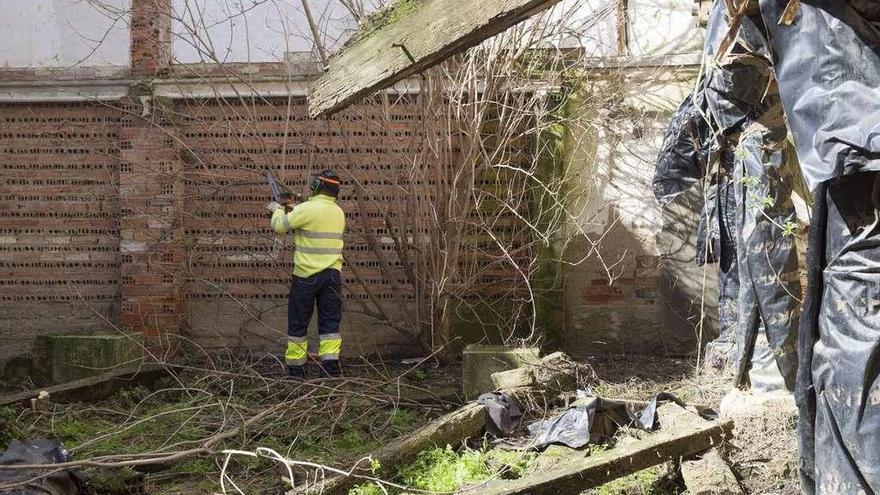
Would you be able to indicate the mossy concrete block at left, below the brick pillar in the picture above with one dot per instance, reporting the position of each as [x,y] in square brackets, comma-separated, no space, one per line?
[64,358]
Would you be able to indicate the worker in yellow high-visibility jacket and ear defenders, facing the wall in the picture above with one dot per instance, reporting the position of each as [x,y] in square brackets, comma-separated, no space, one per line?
[317,225]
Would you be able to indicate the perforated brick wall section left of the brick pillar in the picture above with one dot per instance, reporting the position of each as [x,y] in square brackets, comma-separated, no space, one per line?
[59,220]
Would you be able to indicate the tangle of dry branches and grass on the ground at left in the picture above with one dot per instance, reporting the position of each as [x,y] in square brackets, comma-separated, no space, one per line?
[335,425]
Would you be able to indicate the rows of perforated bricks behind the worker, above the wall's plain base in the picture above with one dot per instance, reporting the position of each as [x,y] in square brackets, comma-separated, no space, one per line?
[226,223]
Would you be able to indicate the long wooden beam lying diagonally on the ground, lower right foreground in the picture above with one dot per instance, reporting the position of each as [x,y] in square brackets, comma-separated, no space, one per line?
[682,434]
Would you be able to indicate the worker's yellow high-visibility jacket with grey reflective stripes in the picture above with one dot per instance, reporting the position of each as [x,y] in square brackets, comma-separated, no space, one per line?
[317,225]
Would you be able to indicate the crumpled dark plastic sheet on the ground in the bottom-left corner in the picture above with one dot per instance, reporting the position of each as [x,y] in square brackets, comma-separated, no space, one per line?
[64,482]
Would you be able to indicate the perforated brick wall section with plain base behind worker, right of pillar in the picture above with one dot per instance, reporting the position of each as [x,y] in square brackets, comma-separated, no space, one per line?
[236,265]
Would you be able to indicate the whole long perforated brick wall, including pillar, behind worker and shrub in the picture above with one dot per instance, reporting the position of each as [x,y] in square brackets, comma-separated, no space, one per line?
[154,218]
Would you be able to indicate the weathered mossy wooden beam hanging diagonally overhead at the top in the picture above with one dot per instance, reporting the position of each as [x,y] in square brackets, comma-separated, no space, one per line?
[422,34]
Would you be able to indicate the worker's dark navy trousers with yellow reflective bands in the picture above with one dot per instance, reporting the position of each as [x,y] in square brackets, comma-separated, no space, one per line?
[324,290]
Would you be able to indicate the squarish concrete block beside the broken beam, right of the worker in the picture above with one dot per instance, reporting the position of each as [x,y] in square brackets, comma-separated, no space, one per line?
[480,361]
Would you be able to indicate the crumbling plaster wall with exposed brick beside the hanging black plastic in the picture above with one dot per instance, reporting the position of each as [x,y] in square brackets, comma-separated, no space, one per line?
[640,291]
